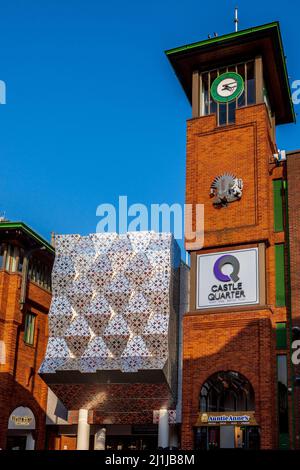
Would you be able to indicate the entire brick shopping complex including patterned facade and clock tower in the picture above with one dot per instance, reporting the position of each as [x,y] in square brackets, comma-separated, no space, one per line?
[114,353]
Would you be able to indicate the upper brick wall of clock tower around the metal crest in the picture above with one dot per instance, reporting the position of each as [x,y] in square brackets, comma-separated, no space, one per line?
[243,149]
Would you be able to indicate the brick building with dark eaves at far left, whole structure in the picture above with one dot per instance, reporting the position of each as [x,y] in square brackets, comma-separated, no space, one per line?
[25,293]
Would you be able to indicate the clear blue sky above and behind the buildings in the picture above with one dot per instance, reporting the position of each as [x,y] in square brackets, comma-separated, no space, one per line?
[94,109]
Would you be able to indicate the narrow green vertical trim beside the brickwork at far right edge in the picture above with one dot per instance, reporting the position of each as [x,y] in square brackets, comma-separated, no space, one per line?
[289,310]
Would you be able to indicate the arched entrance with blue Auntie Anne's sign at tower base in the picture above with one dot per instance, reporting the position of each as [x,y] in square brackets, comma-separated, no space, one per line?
[227,413]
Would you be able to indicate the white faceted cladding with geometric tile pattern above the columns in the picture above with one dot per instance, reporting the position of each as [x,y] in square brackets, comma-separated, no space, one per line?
[112,302]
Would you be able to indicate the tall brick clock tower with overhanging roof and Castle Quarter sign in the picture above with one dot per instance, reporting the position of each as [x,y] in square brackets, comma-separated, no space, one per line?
[237,386]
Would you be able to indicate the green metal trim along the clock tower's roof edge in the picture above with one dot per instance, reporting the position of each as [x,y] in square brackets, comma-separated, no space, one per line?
[244,32]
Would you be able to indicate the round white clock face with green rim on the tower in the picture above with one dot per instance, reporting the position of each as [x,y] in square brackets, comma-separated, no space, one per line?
[227,87]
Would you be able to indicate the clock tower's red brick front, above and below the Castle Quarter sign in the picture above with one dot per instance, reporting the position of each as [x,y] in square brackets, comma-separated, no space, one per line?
[241,341]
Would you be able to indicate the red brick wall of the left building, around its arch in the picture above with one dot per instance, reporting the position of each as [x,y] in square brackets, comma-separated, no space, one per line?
[20,384]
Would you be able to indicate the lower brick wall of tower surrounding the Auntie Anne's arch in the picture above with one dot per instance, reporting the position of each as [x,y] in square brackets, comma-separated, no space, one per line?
[220,342]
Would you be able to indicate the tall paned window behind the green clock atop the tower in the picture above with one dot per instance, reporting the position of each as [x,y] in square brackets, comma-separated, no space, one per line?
[226,112]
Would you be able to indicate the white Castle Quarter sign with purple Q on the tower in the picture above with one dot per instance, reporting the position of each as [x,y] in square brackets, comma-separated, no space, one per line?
[228,278]
